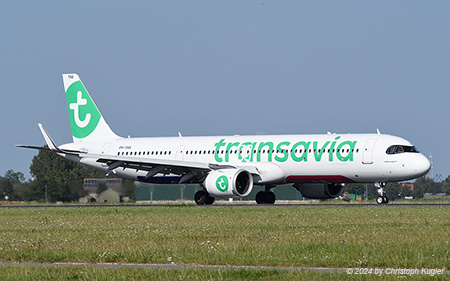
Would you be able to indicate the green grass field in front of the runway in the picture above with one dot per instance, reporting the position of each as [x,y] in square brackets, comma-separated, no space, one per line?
[356,236]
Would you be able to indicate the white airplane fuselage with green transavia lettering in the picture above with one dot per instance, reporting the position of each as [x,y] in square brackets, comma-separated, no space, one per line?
[278,159]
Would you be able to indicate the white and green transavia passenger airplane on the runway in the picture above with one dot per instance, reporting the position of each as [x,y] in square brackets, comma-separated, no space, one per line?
[318,166]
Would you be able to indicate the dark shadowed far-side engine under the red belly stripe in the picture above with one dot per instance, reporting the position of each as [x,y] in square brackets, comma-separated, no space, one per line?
[319,190]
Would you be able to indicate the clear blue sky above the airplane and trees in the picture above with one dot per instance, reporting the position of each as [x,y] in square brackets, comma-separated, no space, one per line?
[232,67]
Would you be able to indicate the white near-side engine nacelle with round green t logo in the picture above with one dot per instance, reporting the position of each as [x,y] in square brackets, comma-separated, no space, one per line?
[229,183]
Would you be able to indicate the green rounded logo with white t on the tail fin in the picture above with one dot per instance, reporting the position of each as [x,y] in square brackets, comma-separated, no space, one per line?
[83,113]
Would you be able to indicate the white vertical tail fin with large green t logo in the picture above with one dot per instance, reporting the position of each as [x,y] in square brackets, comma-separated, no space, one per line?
[86,120]
